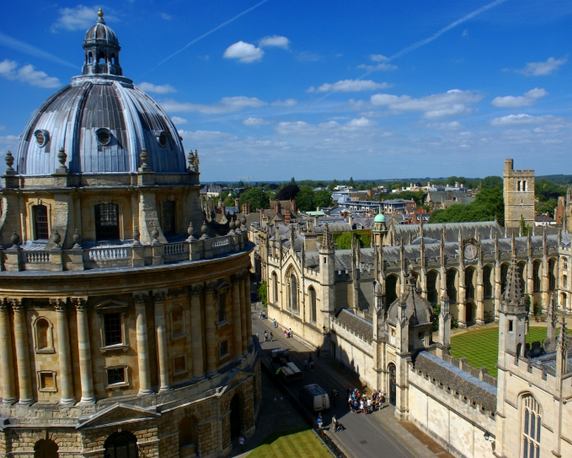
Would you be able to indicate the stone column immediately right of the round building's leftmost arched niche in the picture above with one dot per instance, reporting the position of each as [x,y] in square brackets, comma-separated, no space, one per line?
[64,356]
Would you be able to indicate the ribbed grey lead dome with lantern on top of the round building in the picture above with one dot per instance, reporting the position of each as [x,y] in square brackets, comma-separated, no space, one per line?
[101,120]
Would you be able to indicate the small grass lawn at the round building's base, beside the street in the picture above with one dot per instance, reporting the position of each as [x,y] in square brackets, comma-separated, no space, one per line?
[291,444]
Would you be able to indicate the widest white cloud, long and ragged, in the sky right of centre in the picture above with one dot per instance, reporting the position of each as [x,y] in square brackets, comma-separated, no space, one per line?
[453,102]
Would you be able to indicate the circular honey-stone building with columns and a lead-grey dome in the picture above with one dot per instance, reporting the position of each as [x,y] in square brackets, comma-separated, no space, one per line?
[125,320]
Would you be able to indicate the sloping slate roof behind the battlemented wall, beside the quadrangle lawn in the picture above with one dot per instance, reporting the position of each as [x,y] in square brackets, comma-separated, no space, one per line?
[459,381]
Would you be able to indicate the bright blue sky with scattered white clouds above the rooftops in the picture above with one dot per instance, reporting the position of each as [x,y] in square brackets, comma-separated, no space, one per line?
[321,89]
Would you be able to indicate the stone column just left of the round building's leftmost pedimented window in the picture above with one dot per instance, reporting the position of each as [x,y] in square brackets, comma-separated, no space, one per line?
[84,350]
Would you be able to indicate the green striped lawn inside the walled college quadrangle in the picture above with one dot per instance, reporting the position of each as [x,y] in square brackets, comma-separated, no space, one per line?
[481,346]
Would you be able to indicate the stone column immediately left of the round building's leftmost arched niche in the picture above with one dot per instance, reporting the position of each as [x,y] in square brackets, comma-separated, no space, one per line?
[22,352]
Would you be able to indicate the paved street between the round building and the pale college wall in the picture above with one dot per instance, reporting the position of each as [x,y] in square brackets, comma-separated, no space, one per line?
[374,435]
